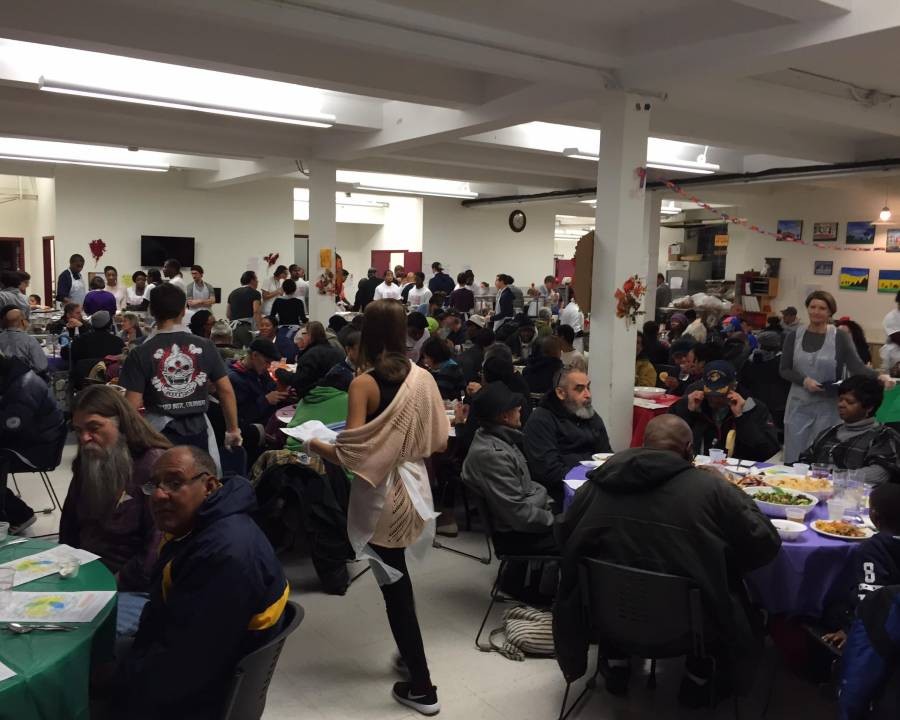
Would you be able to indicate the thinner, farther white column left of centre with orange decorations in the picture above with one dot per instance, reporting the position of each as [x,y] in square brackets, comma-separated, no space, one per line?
[322,233]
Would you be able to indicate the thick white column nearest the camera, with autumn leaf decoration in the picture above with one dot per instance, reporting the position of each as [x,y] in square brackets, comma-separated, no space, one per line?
[620,251]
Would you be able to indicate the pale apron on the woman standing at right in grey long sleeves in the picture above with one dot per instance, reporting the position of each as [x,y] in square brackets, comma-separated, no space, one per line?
[808,414]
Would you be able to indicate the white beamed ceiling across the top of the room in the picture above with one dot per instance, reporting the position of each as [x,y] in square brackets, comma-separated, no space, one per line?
[413,82]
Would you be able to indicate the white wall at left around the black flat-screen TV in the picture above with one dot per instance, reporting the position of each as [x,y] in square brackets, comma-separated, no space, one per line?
[230,225]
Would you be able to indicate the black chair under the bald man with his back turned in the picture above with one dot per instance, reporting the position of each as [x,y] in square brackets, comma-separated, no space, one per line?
[640,613]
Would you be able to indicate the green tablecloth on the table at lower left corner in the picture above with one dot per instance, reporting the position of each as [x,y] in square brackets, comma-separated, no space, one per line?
[53,668]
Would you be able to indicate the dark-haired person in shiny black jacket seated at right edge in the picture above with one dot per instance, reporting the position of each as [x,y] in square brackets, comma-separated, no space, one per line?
[859,443]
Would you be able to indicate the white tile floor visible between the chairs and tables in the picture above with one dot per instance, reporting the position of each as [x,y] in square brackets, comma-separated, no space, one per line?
[337,666]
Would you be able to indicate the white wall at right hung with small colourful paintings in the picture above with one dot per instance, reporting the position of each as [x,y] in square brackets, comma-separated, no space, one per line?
[851,202]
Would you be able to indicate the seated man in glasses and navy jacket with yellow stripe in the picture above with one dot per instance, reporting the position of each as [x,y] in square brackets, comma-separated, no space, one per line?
[217,592]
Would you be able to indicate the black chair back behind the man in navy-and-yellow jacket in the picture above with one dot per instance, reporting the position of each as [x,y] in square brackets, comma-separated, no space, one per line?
[246,697]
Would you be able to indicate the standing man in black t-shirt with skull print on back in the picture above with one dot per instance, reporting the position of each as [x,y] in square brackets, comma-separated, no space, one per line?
[170,373]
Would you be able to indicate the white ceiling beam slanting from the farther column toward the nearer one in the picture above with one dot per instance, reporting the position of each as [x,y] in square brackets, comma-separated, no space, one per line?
[406,125]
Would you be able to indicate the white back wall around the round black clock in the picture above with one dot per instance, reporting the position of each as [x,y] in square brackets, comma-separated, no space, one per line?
[479,238]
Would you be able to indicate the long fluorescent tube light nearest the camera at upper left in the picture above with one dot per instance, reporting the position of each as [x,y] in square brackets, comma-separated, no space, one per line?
[321,120]
